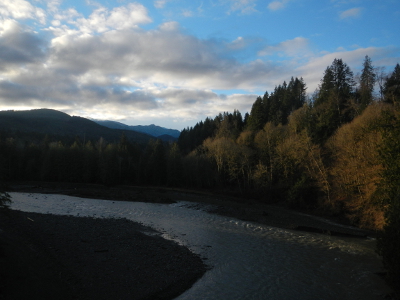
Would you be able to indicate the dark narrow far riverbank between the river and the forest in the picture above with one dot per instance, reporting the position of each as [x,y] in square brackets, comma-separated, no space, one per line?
[235,207]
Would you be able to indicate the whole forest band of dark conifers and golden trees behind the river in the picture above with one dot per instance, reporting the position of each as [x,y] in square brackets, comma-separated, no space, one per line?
[335,151]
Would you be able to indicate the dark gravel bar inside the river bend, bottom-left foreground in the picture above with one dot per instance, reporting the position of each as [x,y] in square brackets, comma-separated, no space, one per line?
[62,257]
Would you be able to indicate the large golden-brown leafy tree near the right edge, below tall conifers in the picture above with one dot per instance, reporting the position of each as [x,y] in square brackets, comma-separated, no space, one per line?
[356,169]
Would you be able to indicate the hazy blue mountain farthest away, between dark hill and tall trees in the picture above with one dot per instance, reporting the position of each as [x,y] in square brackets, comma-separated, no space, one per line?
[153,130]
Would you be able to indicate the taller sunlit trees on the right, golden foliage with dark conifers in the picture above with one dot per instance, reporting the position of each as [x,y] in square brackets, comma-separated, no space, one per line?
[337,151]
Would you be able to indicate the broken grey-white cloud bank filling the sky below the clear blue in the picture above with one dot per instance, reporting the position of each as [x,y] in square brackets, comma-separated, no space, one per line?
[105,65]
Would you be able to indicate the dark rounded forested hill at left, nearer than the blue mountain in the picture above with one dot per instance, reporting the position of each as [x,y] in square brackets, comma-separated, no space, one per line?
[56,123]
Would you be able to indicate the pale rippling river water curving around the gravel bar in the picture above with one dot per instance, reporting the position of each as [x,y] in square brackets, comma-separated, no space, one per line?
[247,260]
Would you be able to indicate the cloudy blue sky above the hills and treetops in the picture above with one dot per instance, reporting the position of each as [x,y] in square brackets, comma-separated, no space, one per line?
[173,63]
